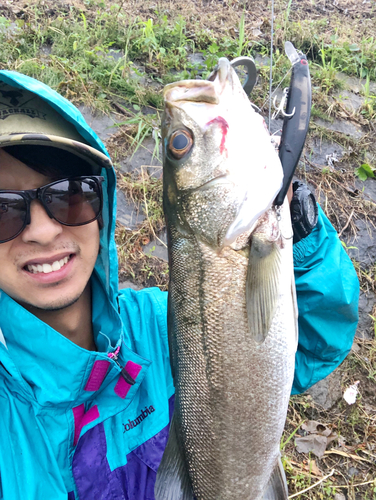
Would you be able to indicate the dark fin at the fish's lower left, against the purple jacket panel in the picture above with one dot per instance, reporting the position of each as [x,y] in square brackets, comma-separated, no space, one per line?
[173,482]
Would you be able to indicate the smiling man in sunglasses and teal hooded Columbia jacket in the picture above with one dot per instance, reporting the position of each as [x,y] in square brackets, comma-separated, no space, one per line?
[86,391]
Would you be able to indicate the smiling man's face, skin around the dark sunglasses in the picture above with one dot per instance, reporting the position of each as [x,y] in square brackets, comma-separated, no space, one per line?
[70,251]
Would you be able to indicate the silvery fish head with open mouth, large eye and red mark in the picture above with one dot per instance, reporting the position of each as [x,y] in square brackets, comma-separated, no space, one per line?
[221,171]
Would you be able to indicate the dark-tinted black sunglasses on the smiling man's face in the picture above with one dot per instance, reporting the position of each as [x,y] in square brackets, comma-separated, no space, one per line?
[72,202]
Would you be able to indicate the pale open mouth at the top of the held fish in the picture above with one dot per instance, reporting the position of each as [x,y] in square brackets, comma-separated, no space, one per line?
[202,91]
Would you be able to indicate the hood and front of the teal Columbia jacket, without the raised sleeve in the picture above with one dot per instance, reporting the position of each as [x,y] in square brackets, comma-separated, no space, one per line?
[43,402]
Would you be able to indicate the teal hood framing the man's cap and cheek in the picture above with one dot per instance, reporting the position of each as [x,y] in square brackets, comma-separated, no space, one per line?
[107,265]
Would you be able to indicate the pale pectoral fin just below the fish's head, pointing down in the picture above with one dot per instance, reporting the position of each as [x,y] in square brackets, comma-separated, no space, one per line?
[262,288]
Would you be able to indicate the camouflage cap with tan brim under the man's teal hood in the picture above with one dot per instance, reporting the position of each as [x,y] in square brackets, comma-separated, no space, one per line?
[26,119]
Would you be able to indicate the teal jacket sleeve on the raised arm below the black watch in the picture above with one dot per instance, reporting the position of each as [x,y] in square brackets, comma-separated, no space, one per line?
[328,294]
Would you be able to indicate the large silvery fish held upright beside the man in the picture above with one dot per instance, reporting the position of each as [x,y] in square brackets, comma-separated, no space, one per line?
[232,313]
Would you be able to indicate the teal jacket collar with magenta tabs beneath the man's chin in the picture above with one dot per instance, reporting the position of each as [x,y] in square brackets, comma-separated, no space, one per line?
[47,368]
